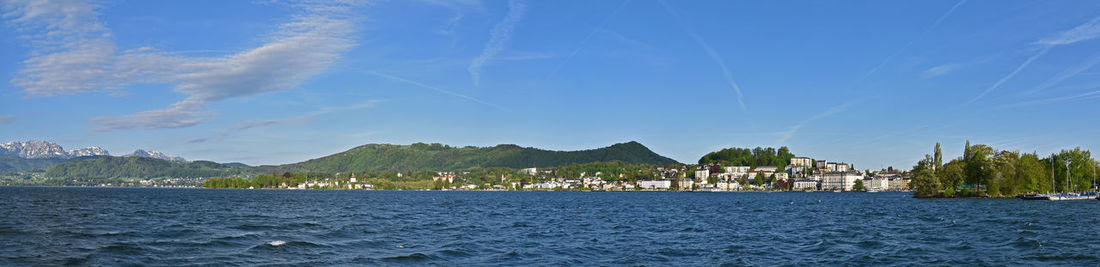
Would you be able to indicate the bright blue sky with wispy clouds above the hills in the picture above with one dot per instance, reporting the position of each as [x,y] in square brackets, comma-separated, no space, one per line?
[871,83]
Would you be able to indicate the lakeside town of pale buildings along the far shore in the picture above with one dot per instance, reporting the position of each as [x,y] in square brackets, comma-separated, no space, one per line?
[802,174]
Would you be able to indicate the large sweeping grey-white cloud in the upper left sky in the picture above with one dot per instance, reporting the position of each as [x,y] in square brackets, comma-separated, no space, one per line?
[74,53]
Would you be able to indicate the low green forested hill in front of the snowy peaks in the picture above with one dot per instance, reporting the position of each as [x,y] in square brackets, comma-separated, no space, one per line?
[139,168]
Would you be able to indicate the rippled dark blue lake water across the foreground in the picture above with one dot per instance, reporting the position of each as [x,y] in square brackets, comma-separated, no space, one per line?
[204,227]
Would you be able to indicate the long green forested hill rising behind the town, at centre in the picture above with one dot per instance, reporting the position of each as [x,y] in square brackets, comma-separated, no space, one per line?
[420,157]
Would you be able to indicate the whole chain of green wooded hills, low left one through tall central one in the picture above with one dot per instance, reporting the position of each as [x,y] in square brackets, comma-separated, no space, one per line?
[372,158]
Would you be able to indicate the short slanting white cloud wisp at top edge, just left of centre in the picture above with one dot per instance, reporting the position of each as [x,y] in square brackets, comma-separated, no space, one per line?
[499,38]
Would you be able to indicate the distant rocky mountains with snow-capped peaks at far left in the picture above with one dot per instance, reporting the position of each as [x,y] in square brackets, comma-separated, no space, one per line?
[41,155]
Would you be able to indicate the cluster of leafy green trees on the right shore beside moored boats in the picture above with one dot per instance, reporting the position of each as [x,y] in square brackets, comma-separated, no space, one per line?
[983,171]
